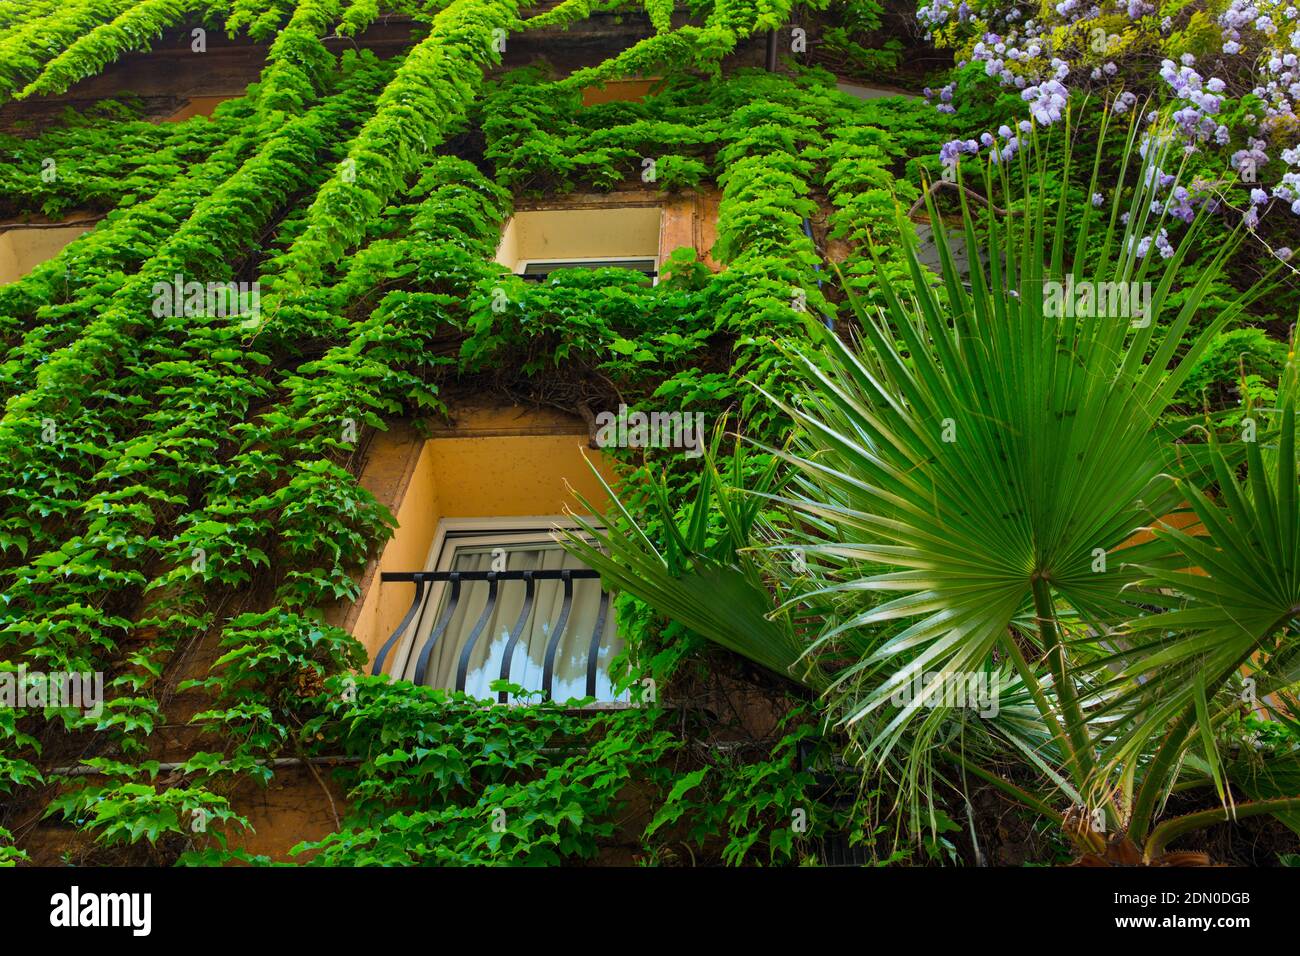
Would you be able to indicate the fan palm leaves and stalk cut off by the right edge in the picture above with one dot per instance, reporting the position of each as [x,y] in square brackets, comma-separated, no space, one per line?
[1228,638]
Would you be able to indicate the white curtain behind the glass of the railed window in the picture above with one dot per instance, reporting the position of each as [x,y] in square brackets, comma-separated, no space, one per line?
[530,654]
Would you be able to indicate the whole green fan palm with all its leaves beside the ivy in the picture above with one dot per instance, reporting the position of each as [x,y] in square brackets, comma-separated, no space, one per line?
[963,491]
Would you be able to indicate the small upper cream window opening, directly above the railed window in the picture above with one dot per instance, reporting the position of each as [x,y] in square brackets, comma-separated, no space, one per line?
[538,243]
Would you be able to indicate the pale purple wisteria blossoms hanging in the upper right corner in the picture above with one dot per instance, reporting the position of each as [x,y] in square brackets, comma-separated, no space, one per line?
[1052,53]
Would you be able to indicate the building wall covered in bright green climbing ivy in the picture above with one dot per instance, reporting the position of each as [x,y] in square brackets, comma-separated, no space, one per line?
[180,494]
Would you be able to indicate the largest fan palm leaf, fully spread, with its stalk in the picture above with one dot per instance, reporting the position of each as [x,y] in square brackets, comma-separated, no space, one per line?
[982,455]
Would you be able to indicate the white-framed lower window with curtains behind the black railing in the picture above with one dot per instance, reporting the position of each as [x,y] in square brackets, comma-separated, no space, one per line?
[504,600]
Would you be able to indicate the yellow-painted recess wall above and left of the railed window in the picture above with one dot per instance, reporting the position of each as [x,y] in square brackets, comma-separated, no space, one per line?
[476,471]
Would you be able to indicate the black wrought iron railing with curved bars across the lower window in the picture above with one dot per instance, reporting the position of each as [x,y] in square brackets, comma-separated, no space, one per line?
[457,579]
